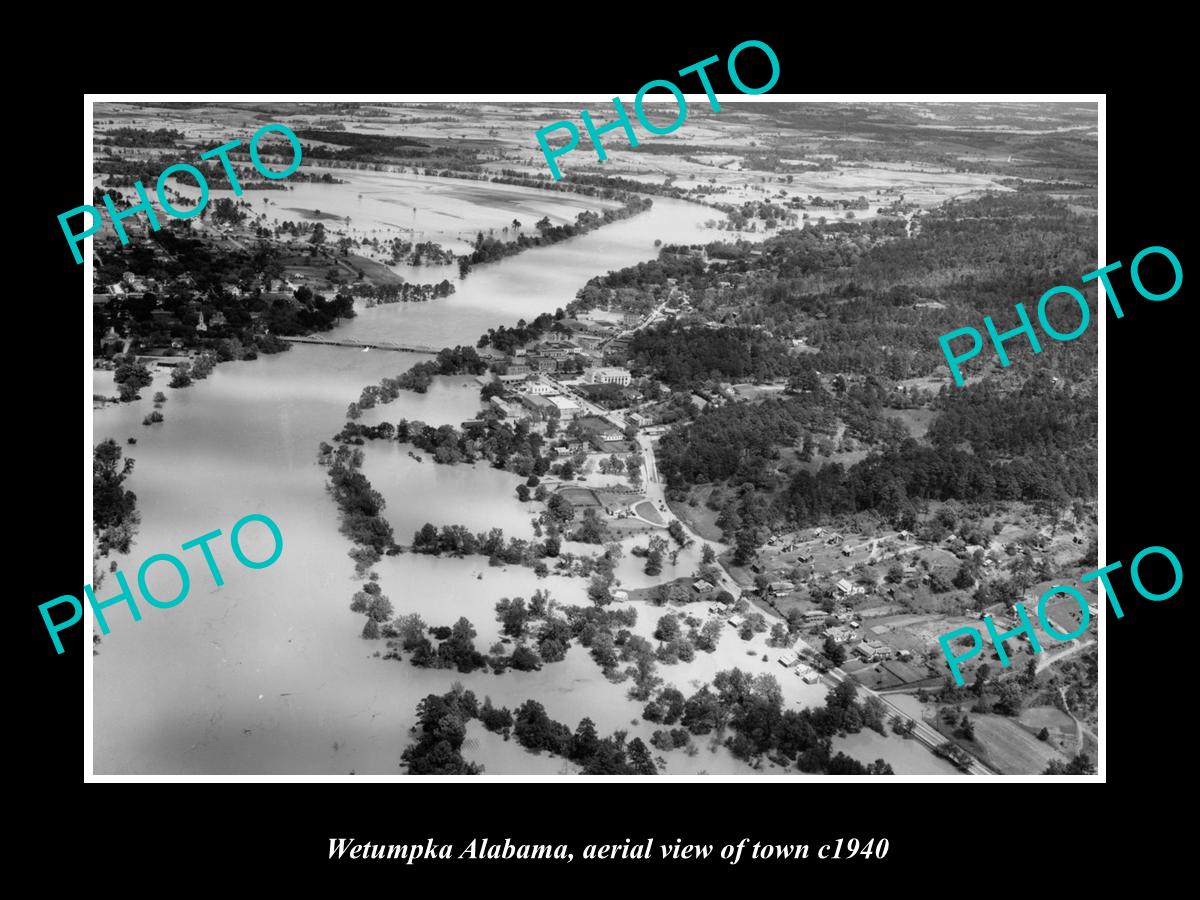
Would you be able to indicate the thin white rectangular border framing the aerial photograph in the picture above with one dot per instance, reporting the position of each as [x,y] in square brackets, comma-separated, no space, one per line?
[92,99]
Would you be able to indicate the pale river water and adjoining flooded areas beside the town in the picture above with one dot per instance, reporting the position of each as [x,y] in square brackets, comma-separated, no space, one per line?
[267,674]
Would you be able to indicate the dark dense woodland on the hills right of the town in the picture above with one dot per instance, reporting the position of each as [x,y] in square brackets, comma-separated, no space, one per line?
[872,304]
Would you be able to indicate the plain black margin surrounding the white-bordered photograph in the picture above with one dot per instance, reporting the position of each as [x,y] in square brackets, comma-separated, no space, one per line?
[952,833]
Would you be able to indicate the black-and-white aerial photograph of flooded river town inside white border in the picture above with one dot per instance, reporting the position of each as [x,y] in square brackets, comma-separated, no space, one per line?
[653,470]
